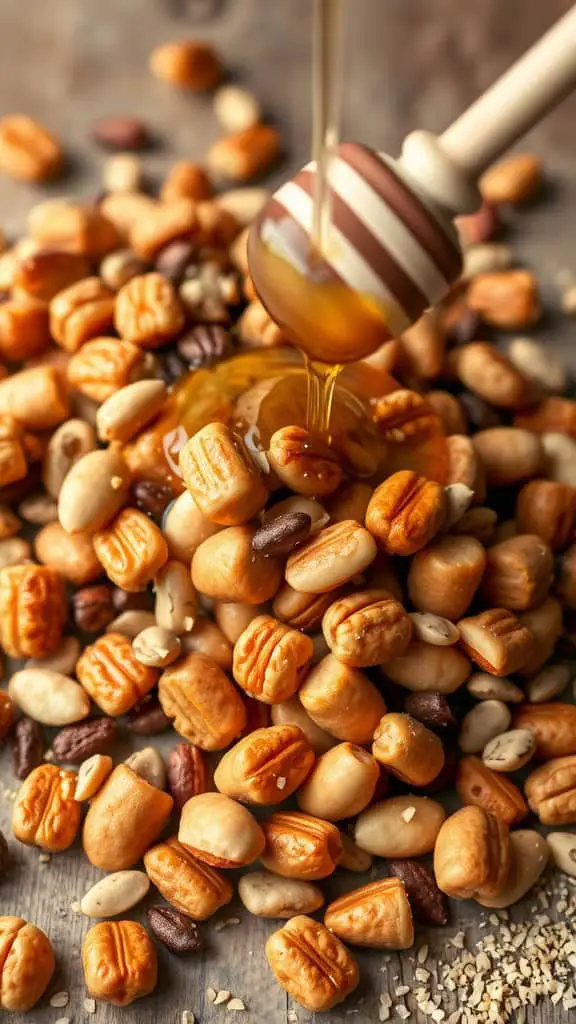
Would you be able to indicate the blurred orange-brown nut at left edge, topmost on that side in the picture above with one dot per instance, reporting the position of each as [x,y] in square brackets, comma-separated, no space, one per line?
[28,151]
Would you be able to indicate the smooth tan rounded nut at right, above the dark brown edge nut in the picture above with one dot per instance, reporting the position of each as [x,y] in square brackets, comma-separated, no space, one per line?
[509,455]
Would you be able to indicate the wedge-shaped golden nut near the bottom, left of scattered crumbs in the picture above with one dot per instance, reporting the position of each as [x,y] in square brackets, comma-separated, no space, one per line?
[378,915]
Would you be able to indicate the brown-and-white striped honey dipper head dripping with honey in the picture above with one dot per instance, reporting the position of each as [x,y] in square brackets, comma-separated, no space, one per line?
[389,255]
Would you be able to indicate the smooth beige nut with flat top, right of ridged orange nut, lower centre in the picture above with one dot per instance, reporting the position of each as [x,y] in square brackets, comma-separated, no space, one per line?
[341,785]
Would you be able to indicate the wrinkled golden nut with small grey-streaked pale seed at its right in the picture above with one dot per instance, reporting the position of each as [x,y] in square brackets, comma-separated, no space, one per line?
[366,629]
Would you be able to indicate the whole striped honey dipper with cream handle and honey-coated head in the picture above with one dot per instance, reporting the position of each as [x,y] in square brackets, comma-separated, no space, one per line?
[392,249]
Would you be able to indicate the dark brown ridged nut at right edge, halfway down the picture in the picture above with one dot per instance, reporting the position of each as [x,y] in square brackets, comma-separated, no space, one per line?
[549,509]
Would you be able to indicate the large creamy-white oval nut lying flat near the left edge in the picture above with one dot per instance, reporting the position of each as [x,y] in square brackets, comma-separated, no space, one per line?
[49,697]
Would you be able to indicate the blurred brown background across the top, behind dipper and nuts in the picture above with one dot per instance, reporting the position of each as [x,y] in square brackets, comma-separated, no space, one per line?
[409,64]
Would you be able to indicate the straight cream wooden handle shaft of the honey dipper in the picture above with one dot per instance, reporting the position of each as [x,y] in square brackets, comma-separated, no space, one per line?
[525,94]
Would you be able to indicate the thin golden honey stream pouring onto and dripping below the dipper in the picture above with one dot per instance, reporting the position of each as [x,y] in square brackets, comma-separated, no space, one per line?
[327,78]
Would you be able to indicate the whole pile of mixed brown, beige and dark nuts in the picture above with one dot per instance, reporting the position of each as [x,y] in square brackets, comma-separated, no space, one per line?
[358,645]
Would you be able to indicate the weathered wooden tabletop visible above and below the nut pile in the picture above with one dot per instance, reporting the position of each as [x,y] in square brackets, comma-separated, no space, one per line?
[410,64]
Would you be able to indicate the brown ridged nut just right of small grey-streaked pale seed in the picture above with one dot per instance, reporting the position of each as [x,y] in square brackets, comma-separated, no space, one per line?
[497,641]
